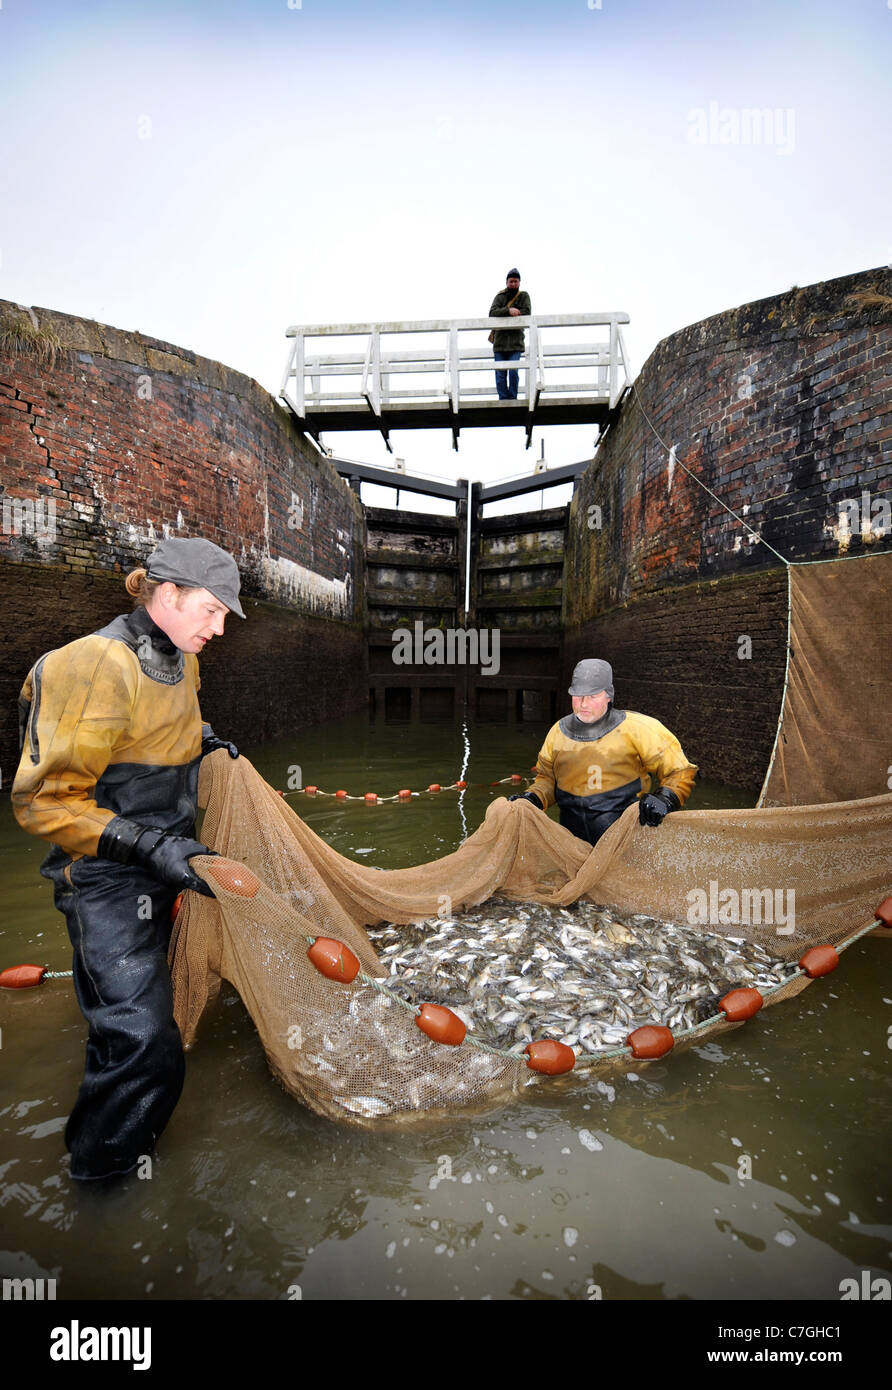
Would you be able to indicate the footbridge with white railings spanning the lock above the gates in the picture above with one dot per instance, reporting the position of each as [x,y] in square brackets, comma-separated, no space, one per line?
[443,379]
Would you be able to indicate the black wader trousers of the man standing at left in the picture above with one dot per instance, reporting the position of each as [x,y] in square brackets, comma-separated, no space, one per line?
[120,926]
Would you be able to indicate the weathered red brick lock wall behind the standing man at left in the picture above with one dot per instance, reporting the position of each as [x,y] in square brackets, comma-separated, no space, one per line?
[133,440]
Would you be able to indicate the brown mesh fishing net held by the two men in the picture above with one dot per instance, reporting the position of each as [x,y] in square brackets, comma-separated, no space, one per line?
[355,1054]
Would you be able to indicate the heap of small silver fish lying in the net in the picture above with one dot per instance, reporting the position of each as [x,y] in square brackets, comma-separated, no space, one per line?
[587,975]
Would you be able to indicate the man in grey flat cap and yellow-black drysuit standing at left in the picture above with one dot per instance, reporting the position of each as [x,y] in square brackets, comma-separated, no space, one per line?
[113,740]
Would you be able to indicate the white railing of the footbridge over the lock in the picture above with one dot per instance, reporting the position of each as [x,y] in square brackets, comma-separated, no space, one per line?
[448,376]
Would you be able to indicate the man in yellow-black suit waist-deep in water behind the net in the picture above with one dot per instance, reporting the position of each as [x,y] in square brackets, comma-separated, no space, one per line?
[595,761]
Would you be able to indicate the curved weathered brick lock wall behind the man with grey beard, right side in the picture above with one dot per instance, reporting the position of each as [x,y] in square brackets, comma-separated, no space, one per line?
[782,408]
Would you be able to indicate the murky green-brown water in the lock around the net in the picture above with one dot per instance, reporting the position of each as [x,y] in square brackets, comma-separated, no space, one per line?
[630,1189]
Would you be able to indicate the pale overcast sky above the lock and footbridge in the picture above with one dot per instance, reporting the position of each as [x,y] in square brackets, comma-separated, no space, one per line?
[210,172]
